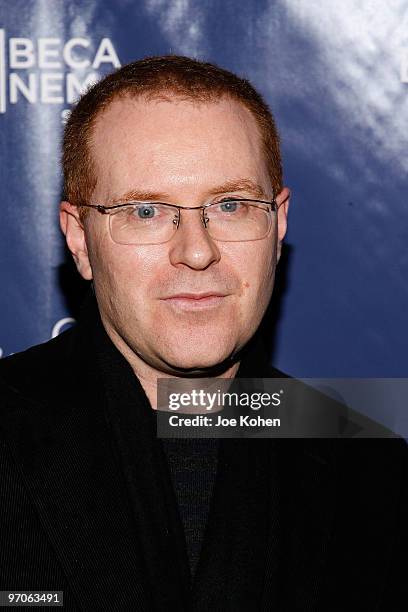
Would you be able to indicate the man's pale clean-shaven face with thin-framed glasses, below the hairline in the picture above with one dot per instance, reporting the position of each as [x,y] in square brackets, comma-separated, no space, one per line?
[148,295]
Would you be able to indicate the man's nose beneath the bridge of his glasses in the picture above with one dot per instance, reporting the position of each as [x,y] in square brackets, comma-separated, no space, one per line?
[191,245]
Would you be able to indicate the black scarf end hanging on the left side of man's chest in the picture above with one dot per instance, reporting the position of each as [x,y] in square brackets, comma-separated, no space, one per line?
[148,480]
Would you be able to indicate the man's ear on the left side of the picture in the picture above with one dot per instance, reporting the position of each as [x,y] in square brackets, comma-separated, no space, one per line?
[74,233]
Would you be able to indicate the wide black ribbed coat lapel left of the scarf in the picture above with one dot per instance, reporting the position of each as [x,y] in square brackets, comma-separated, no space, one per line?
[64,453]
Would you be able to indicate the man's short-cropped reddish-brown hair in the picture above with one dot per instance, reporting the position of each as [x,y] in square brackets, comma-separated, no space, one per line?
[159,77]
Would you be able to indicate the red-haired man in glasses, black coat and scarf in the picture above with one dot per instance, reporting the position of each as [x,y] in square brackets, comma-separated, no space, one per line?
[175,210]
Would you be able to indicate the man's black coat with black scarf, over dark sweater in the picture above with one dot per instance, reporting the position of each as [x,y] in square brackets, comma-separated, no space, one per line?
[87,505]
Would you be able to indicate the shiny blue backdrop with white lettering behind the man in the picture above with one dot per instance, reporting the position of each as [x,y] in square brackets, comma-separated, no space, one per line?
[335,74]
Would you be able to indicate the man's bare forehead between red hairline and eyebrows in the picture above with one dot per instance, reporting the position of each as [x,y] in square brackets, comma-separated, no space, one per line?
[175,144]
